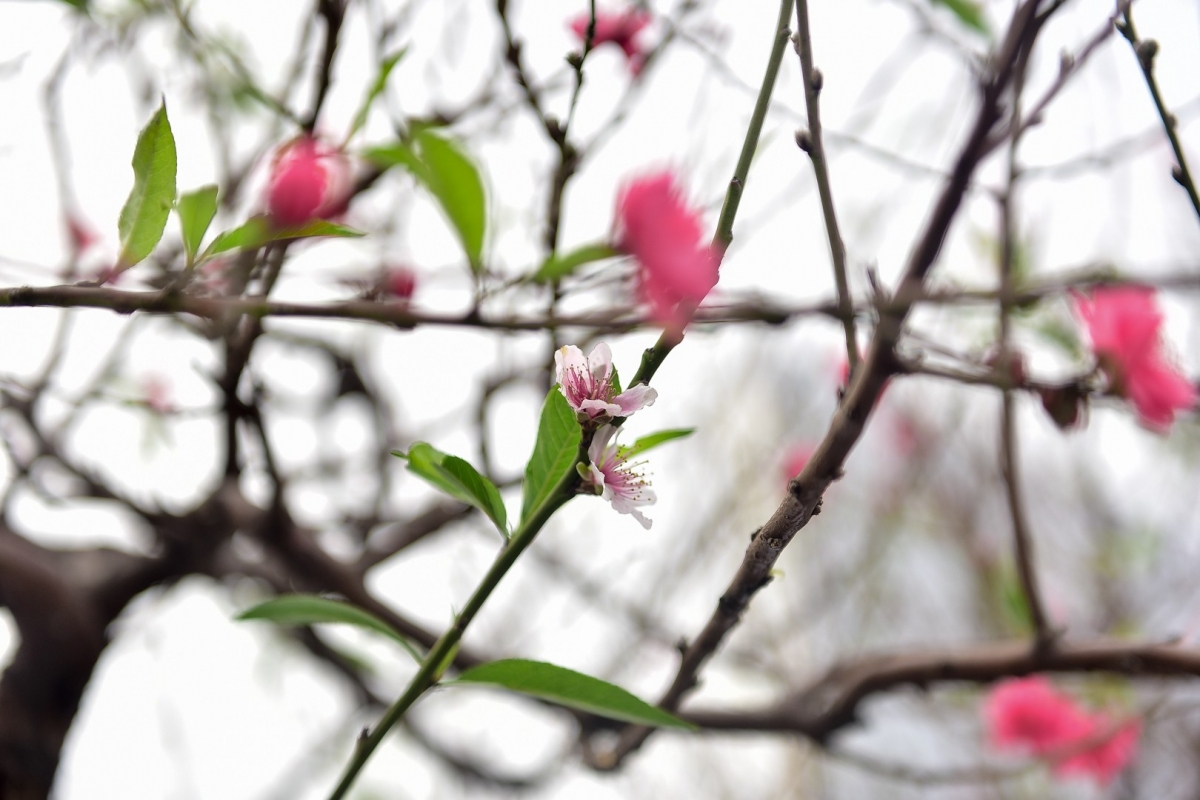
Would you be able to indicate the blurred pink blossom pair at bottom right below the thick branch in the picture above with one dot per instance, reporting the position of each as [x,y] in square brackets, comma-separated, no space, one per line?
[1029,715]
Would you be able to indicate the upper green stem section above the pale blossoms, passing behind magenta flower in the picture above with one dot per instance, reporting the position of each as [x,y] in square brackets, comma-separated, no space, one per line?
[655,357]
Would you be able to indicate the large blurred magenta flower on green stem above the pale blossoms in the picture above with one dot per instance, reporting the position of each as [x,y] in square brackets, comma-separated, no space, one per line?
[677,267]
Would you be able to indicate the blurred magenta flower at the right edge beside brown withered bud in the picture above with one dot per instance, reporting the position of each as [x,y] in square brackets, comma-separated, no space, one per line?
[1125,327]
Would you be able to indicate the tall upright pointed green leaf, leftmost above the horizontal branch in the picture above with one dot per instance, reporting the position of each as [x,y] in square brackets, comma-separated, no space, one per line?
[146,212]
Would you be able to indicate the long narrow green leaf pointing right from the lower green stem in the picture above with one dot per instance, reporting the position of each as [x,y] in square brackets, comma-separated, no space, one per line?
[571,689]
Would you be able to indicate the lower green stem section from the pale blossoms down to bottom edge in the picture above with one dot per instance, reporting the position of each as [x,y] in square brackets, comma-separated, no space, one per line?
[430,671]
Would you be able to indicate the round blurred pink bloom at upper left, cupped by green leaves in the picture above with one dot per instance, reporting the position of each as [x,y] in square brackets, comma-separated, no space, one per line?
[309,182]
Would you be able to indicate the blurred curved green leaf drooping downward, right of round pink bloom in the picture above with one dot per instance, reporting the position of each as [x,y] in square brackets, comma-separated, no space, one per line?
[454,181]
